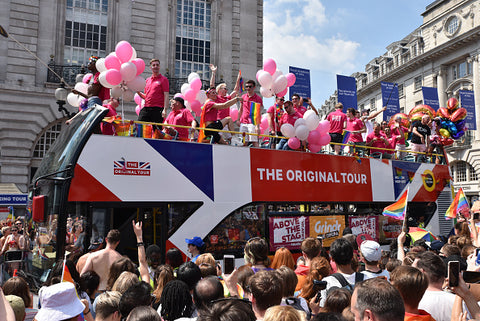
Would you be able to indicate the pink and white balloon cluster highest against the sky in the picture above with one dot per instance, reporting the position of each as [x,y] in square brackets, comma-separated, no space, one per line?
[273,81]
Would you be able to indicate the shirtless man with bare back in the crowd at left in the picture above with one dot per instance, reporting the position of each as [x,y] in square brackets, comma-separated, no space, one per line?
[101,261]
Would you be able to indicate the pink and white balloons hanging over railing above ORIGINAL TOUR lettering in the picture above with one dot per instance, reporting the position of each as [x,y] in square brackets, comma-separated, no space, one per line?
[310,129]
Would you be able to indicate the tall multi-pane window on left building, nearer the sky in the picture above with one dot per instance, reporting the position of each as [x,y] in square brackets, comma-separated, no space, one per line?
[192,44]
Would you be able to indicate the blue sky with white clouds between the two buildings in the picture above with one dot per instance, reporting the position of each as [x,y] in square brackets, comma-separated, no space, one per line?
[334,37]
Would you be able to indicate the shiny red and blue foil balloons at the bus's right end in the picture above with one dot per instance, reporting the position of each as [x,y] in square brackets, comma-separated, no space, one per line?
[452,121]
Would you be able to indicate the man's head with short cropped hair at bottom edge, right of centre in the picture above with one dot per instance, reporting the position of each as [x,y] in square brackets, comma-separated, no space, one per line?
[377,299]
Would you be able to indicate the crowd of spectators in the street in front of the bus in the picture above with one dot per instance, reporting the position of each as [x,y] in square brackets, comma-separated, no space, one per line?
[354,279]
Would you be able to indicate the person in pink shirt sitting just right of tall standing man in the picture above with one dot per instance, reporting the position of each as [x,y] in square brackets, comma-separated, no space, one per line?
[179,115]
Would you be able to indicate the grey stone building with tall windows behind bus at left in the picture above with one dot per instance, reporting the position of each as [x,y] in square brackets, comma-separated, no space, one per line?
[186,35]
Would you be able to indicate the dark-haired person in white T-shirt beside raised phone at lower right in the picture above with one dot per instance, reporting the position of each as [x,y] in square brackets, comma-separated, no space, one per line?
[435,301]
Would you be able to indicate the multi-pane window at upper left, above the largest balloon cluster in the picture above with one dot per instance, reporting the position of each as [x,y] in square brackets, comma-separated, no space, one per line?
[85,30]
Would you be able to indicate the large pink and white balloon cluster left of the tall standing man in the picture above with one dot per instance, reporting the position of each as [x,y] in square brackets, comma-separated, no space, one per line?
[121,71]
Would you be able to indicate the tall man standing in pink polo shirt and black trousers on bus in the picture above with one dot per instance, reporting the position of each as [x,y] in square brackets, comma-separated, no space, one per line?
[156,95]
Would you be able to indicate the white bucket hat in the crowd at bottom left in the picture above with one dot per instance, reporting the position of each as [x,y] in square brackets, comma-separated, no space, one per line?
[59,302]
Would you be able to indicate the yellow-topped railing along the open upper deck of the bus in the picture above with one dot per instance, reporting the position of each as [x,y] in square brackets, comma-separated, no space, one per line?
[128,128]
